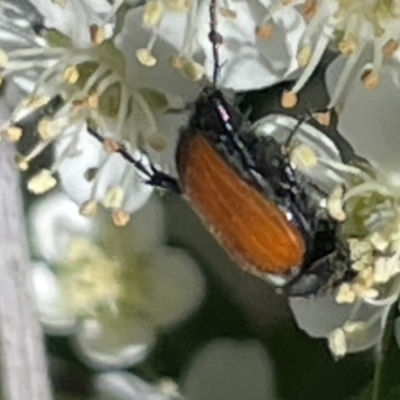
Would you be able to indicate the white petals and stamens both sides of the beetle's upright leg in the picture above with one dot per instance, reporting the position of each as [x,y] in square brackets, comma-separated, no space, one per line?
[252,55]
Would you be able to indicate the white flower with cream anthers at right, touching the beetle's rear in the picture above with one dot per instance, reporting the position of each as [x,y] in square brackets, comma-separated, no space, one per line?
[352,316]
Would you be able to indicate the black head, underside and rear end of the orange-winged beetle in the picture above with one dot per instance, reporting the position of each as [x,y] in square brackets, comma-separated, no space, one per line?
[264,164]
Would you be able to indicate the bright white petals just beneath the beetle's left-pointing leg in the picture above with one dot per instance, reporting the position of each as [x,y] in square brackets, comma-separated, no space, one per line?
[92,176]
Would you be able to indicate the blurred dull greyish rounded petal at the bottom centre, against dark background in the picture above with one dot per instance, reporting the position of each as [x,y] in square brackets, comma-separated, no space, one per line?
[226,369]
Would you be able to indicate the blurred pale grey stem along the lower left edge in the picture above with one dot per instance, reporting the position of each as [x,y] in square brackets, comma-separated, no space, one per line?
[23,360]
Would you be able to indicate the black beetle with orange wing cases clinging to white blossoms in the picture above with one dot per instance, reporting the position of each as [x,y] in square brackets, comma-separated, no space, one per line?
[243,187]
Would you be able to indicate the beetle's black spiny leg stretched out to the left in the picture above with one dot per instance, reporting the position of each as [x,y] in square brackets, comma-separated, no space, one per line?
[153,176]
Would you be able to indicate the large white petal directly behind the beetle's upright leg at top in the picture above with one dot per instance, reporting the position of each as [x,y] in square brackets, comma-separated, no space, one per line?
[248,62]
